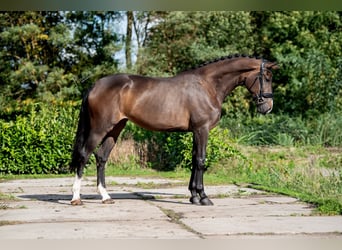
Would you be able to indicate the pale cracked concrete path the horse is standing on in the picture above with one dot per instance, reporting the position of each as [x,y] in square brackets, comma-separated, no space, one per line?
[154,209]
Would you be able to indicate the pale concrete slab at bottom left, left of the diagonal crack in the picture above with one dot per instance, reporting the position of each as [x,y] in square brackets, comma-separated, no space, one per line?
[97,230]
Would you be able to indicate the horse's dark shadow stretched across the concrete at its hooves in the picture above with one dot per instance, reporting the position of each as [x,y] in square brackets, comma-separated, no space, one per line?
[90,198]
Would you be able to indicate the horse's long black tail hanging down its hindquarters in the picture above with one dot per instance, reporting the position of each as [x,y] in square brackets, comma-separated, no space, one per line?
[81,135]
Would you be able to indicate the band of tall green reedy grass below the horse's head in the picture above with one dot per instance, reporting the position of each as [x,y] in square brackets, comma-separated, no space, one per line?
[285,130]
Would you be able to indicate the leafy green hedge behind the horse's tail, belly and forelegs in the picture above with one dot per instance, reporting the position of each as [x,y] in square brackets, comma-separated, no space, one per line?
[38,138]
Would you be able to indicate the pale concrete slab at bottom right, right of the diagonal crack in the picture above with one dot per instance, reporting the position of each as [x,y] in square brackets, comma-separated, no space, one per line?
[266,225]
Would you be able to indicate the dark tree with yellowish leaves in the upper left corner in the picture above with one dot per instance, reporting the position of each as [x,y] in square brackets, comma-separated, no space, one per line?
[31,48]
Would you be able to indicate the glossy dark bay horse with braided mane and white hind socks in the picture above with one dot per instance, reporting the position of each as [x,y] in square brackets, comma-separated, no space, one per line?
[190,101]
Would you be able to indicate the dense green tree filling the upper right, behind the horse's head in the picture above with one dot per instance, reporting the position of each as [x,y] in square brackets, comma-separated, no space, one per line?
[308,46]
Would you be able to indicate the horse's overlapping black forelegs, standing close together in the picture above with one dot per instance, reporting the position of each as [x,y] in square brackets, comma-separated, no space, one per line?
[196,185]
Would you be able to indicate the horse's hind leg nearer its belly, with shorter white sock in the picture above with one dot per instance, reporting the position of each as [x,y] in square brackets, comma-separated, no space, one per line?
[102,155]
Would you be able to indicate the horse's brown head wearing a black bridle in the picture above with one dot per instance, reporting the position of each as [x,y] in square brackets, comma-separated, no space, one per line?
[259,83]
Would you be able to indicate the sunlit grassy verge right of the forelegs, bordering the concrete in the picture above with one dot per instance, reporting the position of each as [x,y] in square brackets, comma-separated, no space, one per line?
[310,174]
